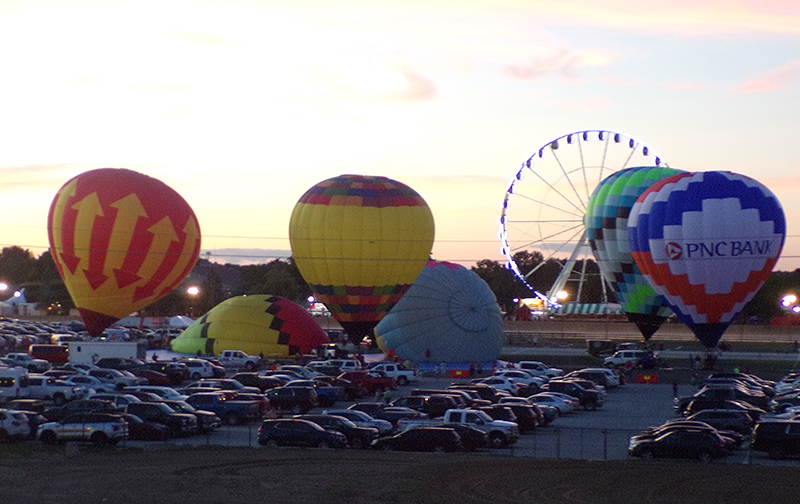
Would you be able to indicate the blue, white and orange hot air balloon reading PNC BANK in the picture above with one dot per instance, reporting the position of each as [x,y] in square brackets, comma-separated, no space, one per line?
[707,242]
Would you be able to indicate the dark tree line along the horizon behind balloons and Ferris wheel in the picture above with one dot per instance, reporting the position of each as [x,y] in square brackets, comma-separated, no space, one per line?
[216,282]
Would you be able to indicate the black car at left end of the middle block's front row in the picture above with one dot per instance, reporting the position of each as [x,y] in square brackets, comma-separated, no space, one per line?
[297,432]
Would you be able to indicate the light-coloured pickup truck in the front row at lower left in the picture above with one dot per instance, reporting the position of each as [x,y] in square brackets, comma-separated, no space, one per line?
[97,428]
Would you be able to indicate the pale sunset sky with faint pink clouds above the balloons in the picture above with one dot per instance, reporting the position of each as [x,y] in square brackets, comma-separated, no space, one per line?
[241,106]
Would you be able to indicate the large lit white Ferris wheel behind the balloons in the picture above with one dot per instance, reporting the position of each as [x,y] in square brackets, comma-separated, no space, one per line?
[545,203]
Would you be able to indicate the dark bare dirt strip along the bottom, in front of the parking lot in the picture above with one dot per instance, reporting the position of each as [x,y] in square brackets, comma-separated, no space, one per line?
[45,475]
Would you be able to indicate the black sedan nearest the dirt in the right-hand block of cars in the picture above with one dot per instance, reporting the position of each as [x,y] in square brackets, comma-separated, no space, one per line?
[692,444]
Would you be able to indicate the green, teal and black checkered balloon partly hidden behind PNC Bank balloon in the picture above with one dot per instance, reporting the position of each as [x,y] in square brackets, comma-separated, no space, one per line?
[606,222]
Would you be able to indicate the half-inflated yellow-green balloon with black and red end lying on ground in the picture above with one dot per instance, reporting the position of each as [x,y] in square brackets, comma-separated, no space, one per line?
[257,324]
